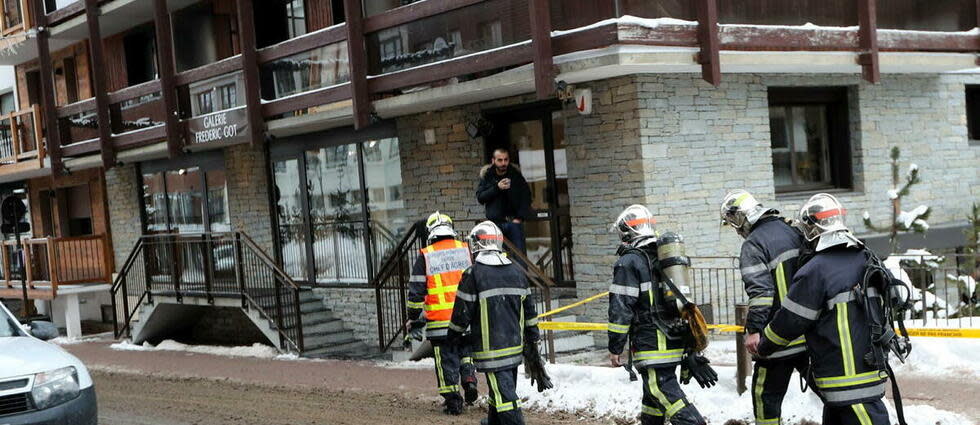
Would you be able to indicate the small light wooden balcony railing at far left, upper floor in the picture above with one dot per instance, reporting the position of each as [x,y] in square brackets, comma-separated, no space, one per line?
[21,138]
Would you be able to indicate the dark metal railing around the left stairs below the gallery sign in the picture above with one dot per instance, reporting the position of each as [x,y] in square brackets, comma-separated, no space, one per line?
[208,265]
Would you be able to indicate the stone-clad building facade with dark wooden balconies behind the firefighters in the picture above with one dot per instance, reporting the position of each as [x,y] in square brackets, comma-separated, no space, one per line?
[322,130]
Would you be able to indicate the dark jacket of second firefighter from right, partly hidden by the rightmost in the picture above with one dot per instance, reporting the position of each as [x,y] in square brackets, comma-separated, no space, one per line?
[768,262]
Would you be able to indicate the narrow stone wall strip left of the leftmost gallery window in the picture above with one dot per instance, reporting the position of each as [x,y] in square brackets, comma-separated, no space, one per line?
[124,210]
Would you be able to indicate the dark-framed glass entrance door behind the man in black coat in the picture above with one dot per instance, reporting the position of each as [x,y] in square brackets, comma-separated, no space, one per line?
[536,139]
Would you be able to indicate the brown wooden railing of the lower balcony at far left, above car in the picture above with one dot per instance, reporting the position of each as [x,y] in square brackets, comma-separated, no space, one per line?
[45,263]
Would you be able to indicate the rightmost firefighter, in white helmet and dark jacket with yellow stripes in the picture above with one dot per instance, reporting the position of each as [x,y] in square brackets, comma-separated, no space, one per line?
[824,305]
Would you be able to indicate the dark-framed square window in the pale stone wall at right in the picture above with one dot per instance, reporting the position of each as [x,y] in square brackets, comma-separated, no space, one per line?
[809,138]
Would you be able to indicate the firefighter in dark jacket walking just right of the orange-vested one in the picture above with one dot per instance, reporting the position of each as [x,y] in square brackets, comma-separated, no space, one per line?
[494,302]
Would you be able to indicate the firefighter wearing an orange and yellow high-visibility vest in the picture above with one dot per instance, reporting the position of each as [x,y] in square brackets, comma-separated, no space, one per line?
[432,289]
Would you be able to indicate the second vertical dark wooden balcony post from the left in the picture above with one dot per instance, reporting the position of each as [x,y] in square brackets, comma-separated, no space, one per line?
[99,85]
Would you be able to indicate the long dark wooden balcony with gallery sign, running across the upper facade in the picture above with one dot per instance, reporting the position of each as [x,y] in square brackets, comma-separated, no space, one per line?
[379,54]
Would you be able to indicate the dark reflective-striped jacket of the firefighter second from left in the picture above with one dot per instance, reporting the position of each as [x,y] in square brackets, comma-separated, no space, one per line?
[494,302]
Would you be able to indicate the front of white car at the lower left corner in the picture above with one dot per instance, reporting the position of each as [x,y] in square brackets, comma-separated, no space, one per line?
[40,383]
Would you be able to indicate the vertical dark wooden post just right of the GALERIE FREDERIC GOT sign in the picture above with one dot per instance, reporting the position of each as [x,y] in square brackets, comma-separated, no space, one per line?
[250,72]
